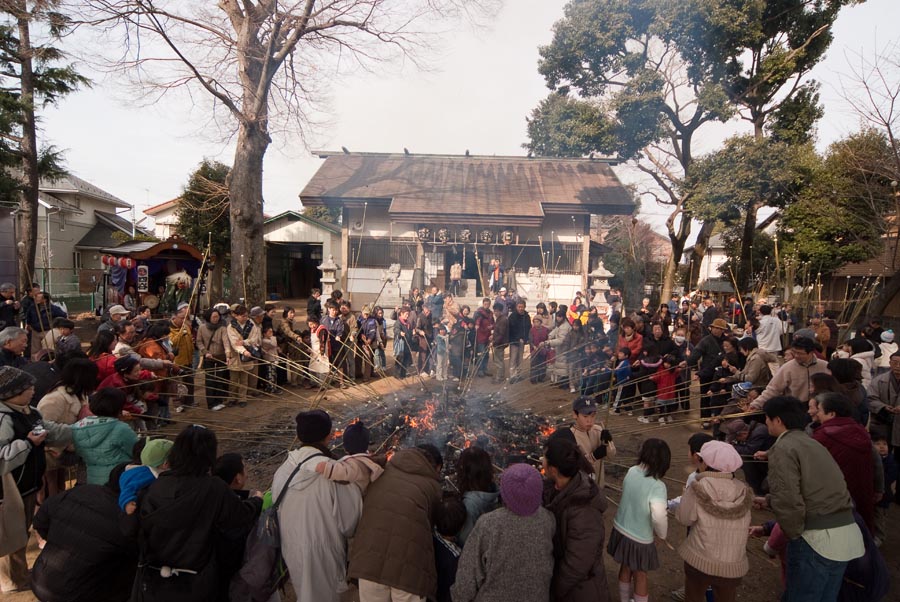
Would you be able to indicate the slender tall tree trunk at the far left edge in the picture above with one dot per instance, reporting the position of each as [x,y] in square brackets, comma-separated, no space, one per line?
[28,217]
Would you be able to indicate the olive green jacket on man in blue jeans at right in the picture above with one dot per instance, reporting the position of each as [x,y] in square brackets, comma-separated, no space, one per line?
[807,488]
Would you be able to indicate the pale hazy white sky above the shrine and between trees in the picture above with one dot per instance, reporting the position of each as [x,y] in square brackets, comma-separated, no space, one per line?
[479,86]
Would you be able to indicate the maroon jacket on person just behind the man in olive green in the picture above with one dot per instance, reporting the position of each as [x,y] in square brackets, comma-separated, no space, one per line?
[849,444]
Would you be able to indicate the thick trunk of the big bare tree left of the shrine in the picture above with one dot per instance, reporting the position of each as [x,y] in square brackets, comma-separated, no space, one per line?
[248,250]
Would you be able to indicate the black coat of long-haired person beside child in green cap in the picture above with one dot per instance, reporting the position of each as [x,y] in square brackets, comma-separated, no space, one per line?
[179,518]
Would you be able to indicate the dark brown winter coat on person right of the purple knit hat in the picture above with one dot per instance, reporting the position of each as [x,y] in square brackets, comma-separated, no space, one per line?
[578,573]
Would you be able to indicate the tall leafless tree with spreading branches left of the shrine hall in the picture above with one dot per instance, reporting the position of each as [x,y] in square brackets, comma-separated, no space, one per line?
[261,62]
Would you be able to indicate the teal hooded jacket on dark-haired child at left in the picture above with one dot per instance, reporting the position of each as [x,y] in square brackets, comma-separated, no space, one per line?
[103,443]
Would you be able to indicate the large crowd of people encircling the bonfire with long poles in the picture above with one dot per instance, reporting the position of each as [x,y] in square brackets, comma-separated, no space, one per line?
[792,419]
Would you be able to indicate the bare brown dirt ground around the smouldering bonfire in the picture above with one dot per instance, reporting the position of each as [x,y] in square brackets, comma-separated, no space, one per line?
[262,432]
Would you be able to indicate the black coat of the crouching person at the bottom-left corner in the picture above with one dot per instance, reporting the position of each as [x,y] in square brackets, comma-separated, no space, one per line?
[87,558]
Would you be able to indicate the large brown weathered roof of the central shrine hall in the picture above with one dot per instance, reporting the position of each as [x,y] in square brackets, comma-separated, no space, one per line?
[482,189]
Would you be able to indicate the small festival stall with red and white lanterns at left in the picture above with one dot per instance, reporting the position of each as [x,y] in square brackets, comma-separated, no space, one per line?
[162,273]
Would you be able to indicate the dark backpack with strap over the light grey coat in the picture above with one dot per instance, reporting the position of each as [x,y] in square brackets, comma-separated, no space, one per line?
[264,571]
